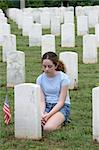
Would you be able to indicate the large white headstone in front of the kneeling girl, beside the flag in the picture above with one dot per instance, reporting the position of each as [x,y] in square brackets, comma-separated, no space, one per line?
[27,111]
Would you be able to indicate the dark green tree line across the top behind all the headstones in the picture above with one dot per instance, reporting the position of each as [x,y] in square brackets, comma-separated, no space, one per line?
[4,4]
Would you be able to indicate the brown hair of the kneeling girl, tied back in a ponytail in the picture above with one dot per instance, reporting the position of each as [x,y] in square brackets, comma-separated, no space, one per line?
[54,58]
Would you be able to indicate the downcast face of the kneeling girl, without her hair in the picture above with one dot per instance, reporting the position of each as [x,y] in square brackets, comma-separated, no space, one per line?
[48,67]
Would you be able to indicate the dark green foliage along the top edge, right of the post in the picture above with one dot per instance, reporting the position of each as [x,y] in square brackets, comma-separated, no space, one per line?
[58,3]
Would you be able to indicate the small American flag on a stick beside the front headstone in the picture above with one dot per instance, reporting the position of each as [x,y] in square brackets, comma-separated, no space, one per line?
[6,110]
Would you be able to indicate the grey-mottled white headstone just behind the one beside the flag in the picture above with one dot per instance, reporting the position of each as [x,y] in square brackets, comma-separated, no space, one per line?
[15,68]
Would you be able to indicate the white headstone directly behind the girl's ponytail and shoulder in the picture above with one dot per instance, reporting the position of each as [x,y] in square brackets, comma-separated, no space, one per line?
[70,60]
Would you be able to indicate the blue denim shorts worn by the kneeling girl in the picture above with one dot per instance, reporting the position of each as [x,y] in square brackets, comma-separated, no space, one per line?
[65,110]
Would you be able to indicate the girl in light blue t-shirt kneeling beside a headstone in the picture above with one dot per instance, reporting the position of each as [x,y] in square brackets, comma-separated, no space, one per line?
[55,101]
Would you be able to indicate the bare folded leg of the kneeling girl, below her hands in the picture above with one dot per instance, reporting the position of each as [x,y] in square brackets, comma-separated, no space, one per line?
[54,122]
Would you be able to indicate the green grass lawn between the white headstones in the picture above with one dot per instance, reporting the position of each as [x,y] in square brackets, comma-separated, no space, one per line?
[74,136]
